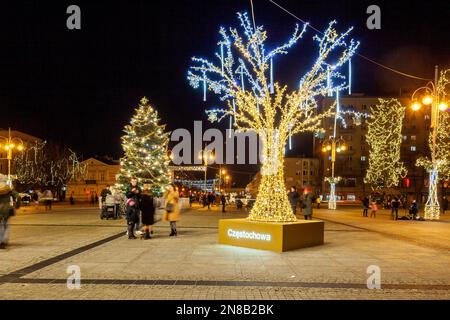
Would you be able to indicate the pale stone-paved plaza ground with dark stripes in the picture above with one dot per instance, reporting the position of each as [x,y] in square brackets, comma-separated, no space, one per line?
[413,258]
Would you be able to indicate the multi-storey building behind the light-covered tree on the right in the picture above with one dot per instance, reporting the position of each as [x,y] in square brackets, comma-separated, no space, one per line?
[351,164]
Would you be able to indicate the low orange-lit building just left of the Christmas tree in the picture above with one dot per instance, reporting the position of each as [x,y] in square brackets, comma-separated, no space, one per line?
[99,174]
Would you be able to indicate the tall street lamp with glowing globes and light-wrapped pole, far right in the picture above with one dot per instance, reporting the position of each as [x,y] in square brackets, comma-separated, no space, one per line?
[433,95]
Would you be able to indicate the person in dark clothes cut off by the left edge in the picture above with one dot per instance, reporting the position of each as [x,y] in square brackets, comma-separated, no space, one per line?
[7,199]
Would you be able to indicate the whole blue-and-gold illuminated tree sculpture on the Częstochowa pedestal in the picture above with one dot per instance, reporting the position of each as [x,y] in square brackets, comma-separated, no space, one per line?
[243,78]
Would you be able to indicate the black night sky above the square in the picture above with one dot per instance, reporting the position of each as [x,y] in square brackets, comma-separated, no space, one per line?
[80,87]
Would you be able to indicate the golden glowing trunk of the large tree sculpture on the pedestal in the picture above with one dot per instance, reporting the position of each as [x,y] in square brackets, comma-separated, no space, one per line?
[272,204]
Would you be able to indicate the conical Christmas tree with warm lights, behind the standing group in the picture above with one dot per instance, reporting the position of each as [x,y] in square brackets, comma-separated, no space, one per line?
[145,150]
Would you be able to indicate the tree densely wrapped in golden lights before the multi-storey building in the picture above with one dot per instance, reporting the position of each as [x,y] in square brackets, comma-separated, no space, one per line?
[384,137]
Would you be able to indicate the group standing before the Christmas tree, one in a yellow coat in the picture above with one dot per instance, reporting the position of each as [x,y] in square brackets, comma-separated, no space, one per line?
[141,208]
